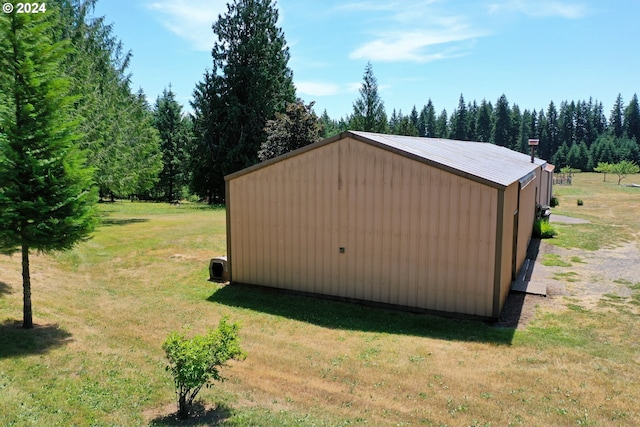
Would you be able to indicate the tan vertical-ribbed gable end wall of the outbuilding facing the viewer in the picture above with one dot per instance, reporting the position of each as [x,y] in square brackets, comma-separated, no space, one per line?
[413,235]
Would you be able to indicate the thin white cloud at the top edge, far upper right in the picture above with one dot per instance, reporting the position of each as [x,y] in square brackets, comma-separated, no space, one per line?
[541,8]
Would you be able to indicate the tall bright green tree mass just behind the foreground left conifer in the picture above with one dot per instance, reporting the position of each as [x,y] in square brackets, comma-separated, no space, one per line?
[120,140]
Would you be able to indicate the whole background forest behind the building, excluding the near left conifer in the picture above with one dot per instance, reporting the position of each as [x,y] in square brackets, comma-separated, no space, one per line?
[245,110]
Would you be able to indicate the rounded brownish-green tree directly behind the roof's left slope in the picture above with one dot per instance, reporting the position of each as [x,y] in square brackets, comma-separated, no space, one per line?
[298,127]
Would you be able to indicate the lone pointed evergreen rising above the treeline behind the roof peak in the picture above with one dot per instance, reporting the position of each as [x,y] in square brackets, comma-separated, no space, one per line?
[368,110]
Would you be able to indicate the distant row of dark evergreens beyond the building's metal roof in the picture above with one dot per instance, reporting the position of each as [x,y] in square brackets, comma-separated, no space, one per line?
[577,134]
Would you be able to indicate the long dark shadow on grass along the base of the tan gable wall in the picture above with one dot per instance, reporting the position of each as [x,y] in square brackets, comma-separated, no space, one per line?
[352,316]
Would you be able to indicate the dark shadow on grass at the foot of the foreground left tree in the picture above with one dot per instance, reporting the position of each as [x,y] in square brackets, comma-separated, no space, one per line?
[17,341]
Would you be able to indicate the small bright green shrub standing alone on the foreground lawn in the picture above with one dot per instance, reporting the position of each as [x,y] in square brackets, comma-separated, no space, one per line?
[195,362]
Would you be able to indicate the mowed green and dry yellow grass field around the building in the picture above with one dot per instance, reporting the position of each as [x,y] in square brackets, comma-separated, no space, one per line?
[103,310]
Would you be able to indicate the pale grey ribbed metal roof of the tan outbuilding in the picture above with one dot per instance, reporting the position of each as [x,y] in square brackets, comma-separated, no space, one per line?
[484,161]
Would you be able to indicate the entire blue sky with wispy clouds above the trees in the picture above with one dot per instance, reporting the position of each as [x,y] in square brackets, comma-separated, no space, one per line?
[533,51]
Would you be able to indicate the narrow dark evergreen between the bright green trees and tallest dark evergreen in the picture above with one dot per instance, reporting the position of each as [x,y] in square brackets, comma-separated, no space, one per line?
[174,136]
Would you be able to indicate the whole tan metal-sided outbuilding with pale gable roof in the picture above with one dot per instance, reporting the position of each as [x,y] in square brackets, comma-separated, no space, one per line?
[416,223]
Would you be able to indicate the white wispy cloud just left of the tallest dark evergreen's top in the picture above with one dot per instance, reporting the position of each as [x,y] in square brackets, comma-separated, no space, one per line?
[190,19]
